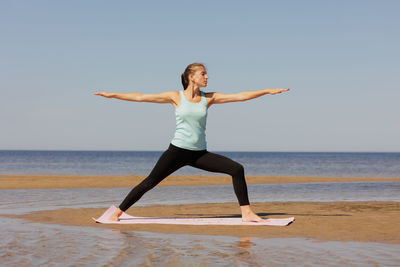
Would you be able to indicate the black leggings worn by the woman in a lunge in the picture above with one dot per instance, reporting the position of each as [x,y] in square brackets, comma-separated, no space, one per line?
[175,157]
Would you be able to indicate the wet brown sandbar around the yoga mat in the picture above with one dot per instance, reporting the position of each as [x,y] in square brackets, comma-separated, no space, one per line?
[325,221]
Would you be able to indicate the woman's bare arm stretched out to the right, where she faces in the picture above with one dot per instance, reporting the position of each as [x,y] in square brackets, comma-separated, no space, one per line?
[219,98]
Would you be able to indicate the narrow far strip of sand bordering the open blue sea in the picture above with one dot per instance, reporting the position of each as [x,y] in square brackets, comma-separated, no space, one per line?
[26,181]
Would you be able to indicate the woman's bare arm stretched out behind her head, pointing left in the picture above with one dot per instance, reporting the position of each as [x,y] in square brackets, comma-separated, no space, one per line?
[166,97]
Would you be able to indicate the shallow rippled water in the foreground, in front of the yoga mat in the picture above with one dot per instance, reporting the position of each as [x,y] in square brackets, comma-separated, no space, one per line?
[32,244]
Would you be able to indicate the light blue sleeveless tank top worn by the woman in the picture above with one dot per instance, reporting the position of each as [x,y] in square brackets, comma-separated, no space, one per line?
[191,121]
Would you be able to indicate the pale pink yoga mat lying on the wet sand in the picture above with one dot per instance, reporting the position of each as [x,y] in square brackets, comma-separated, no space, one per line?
[128,219]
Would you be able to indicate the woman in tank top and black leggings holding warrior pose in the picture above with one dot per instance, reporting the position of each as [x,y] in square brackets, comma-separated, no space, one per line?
[188,146]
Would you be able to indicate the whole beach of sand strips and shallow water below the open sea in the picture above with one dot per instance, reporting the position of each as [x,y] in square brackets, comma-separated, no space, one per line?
[47,220]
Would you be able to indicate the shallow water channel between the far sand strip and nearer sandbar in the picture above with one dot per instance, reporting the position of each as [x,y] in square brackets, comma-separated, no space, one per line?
[19,201]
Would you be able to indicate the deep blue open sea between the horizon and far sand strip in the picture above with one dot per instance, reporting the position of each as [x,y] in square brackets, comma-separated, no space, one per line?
[323,164]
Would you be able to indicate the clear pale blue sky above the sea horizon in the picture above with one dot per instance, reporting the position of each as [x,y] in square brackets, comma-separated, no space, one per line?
[340,59]
